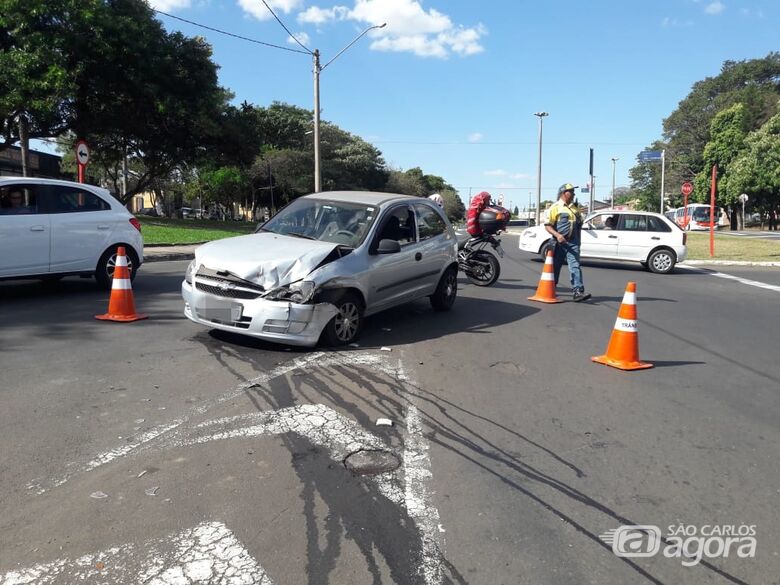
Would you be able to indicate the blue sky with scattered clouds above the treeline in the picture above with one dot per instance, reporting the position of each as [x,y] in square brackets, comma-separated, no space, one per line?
[451,86]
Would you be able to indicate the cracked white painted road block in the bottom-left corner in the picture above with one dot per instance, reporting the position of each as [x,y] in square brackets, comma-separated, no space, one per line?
[207,553]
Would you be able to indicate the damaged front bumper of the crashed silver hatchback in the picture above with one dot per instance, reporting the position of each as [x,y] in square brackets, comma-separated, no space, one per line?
[278,321]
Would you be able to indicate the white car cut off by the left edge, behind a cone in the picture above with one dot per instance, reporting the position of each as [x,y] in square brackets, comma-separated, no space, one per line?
[51,228]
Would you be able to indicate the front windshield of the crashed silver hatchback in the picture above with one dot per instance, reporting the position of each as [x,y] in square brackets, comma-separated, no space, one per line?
[327,221]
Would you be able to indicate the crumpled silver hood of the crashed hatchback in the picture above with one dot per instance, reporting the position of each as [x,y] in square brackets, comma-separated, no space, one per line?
[267,259]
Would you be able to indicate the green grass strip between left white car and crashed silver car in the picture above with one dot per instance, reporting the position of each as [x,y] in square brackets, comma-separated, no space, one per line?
[165,231]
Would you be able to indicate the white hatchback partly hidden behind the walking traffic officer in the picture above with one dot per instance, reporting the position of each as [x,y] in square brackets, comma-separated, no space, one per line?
[638,236]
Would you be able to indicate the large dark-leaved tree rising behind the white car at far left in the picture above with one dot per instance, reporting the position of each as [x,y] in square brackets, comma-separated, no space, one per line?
[106,71]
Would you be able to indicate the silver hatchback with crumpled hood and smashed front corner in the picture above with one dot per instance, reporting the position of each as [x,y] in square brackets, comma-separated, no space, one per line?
[321,265]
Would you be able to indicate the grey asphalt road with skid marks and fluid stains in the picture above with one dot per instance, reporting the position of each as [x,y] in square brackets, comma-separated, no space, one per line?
[162,452]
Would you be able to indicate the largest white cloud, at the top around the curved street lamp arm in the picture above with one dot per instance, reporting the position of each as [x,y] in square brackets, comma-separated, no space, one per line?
[410,28]
